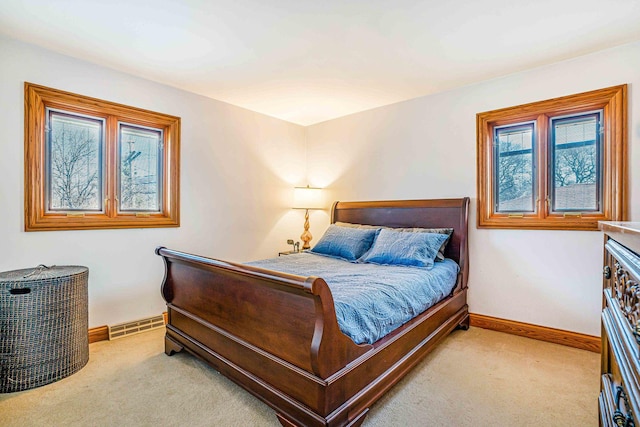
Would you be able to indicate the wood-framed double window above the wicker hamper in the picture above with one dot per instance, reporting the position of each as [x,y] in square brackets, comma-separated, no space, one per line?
[95,164]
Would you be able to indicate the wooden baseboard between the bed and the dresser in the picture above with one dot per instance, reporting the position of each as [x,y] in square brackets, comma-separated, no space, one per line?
[557,336]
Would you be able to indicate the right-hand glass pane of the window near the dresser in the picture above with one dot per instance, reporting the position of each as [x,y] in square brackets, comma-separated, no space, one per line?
[575,145]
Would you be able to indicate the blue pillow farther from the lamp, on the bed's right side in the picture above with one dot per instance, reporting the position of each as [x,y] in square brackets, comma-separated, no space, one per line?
[400,248]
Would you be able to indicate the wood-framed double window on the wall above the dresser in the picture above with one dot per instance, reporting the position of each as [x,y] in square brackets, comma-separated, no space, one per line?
[556,164]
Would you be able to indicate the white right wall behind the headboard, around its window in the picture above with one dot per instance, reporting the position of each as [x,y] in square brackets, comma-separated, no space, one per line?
[426,148]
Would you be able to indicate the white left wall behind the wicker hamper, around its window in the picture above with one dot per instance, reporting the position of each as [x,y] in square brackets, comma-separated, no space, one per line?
[237,173]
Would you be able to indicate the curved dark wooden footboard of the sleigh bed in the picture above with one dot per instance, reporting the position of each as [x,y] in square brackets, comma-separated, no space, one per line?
[274,333]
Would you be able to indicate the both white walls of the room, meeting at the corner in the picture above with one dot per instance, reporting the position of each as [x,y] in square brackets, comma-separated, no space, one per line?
[238,168]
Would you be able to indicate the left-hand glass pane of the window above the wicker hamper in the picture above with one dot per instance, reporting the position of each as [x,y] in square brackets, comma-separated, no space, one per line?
[74,162]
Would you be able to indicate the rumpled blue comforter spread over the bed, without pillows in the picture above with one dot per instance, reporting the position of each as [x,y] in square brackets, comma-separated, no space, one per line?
[371,300]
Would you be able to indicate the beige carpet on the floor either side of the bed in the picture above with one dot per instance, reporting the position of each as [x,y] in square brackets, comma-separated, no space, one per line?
[475,378]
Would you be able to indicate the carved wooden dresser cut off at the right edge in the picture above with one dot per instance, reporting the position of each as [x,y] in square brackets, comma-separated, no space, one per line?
[620,382]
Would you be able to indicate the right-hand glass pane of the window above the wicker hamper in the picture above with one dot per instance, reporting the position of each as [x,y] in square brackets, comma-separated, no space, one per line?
[140,169]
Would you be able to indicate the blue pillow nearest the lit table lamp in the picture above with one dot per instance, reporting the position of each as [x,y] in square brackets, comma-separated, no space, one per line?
[345,242]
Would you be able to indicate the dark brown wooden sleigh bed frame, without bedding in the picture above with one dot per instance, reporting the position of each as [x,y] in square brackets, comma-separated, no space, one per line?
[277,335]
